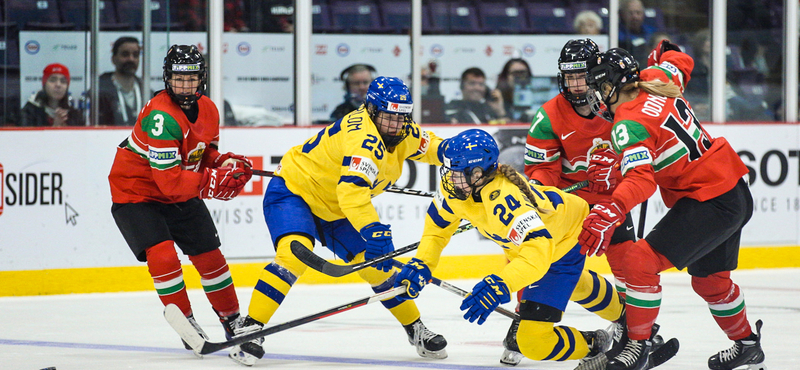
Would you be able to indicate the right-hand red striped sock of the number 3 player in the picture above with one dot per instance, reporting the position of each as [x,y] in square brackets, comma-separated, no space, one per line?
[217,282]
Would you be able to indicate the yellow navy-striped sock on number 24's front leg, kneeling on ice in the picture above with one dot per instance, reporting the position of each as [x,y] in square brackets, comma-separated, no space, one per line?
[541,341]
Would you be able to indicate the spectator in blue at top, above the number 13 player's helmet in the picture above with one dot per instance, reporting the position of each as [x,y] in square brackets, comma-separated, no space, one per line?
[633,32]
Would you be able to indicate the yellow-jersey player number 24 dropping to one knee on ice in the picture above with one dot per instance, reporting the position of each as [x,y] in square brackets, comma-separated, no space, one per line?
[537,227]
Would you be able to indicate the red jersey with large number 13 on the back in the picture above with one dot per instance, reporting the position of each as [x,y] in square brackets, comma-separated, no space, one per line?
[661,142]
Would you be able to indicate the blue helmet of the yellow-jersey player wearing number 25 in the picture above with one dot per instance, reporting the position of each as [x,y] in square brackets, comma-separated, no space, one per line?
[390,95]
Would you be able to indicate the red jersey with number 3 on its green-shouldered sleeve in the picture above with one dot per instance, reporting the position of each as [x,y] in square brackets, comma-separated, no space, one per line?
[163,160]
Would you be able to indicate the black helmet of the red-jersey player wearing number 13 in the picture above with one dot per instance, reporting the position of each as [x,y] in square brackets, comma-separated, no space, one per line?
[606,75]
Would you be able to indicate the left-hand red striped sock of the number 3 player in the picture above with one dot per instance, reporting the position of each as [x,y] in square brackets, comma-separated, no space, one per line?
[165,268]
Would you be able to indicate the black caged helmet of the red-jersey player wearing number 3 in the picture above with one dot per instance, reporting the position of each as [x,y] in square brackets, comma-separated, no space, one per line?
[187,60]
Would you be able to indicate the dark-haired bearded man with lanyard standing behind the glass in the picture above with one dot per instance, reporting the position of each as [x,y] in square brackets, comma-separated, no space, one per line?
[120,95]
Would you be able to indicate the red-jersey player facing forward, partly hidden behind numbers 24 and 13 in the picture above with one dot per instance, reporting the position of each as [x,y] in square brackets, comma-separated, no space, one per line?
[566,144]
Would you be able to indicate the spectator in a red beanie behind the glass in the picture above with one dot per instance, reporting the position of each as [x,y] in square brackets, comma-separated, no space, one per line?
[52,106]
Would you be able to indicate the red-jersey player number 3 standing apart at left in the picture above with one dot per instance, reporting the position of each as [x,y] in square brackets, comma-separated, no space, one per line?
[161,173]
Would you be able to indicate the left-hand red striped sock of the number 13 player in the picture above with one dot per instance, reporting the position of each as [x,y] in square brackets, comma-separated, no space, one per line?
[642,265]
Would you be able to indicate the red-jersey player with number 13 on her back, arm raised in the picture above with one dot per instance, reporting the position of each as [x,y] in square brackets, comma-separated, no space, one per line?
[662,144]
